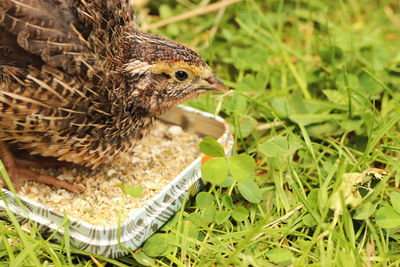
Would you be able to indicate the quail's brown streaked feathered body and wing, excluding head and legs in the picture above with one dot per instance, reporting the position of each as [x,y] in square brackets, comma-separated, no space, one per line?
[55,60]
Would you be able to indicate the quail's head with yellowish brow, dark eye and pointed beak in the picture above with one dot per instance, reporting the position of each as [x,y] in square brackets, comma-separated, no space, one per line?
[164,73]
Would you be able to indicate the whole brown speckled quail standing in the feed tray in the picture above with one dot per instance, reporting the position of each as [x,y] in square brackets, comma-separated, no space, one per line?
[81,83]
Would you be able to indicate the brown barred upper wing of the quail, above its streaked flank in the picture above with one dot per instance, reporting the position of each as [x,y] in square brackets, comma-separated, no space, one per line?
[73,35]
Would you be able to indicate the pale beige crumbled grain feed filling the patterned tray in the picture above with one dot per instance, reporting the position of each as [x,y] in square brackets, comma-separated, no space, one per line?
[151,164]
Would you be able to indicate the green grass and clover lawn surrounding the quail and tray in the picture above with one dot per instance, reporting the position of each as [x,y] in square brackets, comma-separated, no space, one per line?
[315,97]
